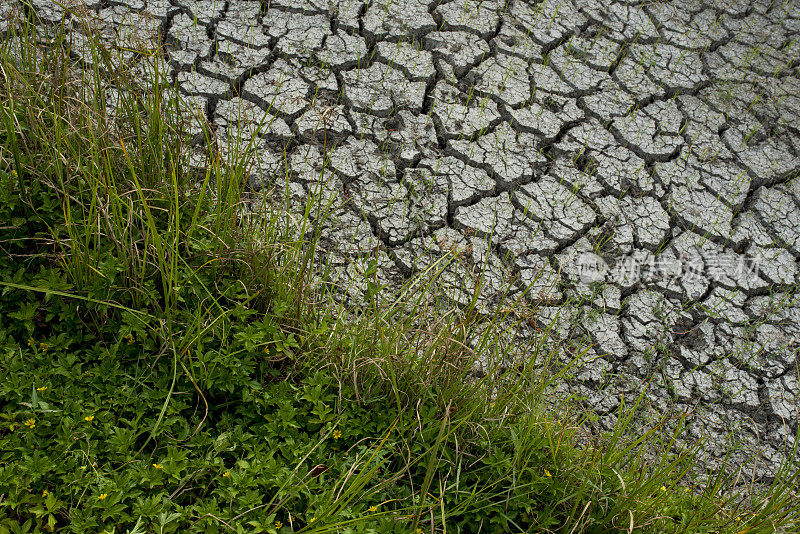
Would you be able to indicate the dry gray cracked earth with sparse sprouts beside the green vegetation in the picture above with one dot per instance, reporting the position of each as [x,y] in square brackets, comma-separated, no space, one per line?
[627,171]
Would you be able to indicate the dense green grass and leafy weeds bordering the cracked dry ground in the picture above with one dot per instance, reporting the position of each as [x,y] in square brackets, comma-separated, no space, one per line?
[171,366]
